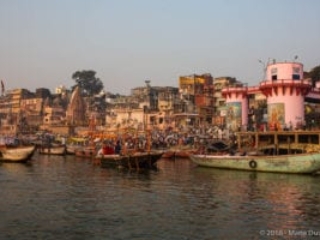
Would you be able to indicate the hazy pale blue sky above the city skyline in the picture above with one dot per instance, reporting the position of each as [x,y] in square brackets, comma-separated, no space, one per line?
[43,42]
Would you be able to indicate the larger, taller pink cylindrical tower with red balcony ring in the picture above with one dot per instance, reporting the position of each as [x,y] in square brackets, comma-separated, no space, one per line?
[285,90]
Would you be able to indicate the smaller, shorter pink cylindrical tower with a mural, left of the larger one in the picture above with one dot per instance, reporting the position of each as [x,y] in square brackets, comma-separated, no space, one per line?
[236,107]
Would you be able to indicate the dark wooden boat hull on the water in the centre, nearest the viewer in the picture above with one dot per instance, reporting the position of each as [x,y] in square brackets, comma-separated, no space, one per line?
[137,160]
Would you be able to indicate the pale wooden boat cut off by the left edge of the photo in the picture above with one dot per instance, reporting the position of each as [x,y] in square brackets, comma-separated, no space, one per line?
[17,154]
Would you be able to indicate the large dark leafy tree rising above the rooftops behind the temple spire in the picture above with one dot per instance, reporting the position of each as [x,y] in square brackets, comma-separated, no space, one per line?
[88,82]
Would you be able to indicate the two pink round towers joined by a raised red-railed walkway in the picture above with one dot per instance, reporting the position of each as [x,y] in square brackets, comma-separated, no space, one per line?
[285,90]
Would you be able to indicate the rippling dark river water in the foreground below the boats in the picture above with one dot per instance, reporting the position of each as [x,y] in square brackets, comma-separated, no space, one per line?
[57,197]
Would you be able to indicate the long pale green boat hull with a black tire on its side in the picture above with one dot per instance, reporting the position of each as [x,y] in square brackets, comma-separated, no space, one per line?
[295,163]
